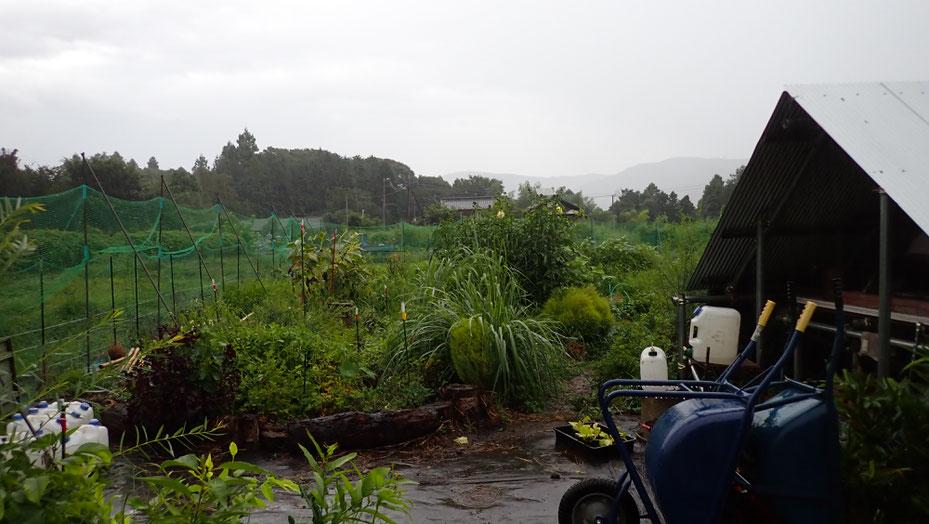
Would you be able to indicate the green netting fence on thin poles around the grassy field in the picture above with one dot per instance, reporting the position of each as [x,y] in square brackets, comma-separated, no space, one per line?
[83,267]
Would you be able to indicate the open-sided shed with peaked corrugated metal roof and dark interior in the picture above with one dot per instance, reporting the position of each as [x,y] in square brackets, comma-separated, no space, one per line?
[838,186]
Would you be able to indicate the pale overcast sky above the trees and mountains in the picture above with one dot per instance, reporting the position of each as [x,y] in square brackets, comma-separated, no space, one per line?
[535,88]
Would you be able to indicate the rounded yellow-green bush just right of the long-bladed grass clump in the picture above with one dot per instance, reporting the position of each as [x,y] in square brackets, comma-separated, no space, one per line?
[584,314]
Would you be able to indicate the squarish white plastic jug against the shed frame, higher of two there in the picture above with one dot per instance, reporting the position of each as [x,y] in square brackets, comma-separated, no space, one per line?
[715,330]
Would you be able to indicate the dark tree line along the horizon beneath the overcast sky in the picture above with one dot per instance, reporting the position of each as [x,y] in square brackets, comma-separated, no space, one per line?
[315,182]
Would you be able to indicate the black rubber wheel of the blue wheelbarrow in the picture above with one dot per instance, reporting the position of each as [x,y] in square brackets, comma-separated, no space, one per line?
[586,500]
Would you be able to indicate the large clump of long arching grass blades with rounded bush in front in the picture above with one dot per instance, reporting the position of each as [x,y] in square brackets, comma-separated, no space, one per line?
[471,321]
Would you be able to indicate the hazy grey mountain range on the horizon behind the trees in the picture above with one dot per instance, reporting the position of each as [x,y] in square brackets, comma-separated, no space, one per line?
[683,175]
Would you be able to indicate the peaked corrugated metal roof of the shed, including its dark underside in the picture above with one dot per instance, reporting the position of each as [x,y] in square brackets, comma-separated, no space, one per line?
[811,180]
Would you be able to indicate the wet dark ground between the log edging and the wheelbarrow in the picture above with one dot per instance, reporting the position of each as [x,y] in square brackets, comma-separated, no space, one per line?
[514,474]
